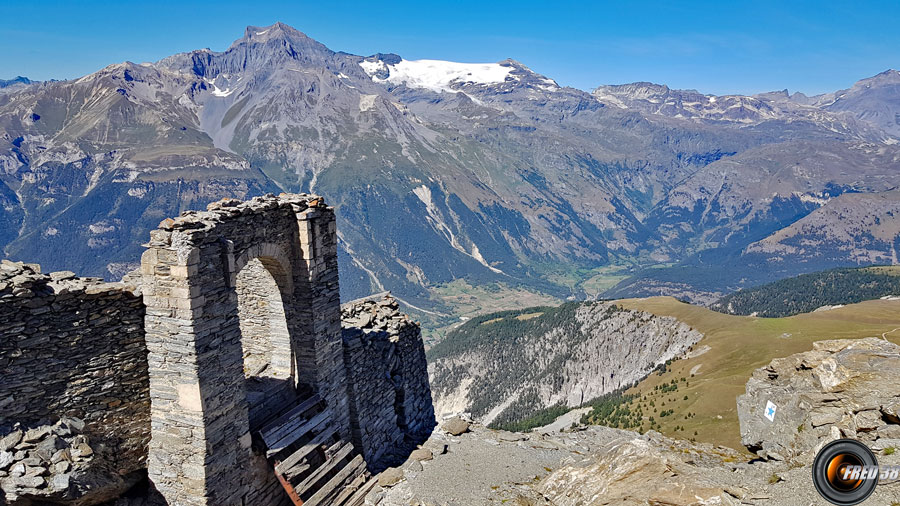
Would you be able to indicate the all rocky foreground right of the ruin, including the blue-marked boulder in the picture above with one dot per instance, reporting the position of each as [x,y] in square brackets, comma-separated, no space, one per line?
[842,388]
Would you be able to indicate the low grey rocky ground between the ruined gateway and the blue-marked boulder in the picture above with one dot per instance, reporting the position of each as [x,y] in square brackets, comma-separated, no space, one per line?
[586,466]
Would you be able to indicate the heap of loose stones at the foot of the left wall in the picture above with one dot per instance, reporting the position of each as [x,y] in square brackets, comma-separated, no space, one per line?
[58,464]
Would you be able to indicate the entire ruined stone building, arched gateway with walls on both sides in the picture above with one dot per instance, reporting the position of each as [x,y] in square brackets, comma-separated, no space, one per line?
[234,312]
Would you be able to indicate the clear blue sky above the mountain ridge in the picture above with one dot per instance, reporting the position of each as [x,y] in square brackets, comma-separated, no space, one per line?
[715,47]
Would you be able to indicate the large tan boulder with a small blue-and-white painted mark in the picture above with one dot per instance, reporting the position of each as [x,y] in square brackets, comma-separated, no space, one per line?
[842,388]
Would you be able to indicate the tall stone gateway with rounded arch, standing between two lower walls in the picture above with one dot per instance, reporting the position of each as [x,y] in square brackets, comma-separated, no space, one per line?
[200,449]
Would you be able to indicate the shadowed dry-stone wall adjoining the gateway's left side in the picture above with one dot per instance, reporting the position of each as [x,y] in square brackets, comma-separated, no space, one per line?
[74,346]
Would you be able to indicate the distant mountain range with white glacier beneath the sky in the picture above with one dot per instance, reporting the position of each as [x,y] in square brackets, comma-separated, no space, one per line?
[440,171]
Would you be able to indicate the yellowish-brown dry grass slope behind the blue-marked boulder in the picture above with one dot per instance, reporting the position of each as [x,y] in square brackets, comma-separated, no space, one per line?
[738,346]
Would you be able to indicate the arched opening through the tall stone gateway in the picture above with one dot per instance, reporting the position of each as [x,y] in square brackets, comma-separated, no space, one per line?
[269,365]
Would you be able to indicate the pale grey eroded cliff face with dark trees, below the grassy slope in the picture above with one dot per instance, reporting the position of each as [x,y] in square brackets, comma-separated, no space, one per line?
[507,366]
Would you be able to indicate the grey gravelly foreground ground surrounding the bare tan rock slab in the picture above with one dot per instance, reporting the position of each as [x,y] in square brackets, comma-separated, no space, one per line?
[486,467]
